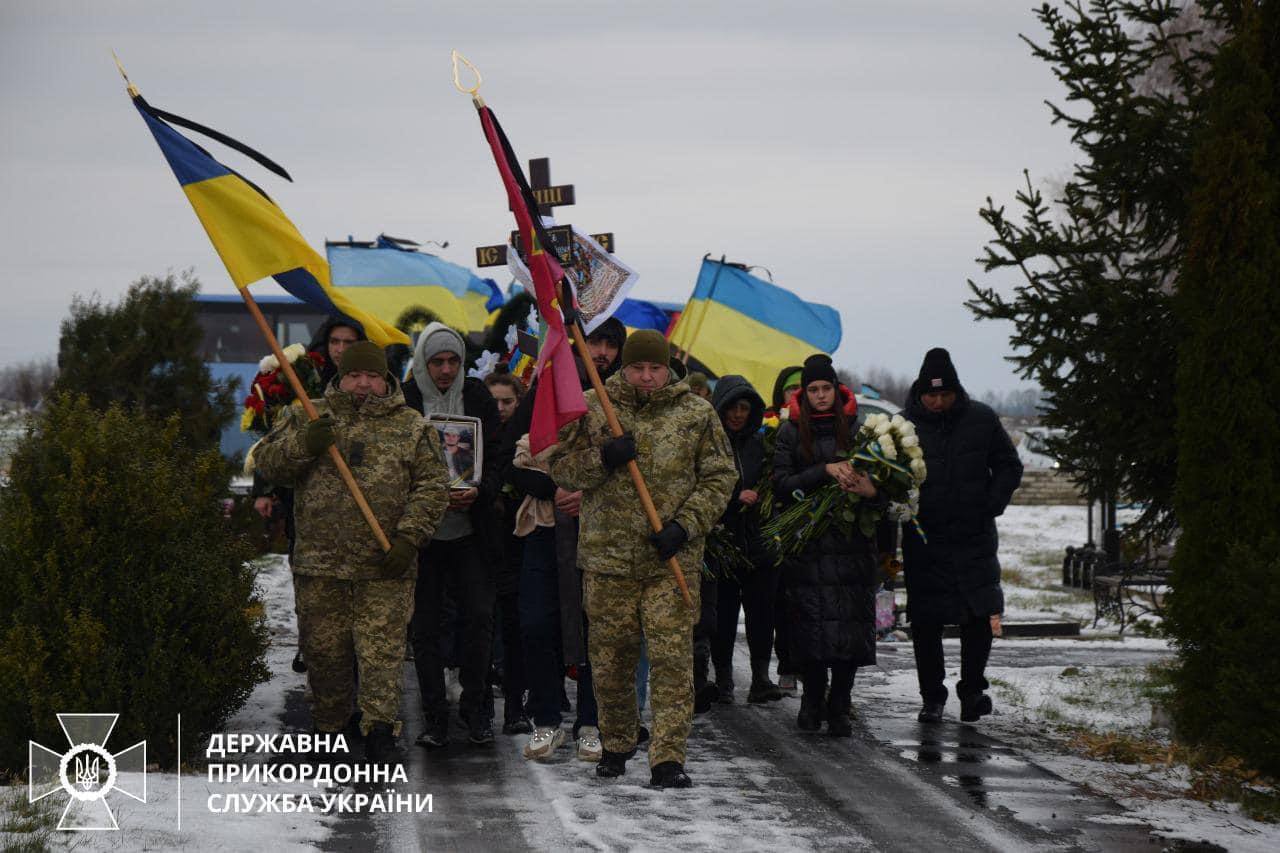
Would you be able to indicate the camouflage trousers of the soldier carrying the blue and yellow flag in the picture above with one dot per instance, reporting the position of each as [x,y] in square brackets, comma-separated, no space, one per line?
[342,623]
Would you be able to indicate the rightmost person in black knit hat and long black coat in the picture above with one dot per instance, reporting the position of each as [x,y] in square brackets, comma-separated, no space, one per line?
[954,577]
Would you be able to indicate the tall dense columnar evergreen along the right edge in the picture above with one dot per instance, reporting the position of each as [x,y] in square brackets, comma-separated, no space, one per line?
[1226,603]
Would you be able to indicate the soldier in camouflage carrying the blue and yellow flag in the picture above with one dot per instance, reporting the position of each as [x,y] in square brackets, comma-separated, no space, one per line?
[355,601]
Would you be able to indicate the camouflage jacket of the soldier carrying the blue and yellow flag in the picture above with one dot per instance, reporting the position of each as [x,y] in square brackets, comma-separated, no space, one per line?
[396,460]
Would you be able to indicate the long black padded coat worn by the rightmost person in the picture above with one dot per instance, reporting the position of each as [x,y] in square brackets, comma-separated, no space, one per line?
[973,471]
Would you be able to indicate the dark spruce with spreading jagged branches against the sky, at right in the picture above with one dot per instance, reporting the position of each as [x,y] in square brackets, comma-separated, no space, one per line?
[1094,320]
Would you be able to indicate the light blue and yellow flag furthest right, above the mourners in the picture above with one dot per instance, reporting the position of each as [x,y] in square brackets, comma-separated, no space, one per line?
[737,323]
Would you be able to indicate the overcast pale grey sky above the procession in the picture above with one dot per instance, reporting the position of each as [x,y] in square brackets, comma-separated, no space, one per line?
[847,147]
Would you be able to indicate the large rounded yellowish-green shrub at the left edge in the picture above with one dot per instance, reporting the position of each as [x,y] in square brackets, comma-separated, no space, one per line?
[126,590]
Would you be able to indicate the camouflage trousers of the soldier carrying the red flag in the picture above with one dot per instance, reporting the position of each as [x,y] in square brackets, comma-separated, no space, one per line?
[621,612]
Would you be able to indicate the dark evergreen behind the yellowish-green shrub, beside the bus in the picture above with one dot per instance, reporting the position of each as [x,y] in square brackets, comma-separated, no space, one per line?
[145,354]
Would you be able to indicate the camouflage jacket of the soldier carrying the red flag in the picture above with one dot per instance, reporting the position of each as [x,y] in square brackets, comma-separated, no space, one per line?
[687,462]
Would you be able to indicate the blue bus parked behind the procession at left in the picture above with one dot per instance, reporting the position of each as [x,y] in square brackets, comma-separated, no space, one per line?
[234,345]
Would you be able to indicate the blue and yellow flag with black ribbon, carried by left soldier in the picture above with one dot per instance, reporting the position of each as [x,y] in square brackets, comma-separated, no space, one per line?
[250,232]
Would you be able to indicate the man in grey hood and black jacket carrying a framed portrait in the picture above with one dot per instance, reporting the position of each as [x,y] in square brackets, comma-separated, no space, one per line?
[460,555]
